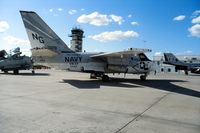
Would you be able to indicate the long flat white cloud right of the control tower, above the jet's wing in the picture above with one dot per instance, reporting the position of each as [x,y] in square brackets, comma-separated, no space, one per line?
[114,35]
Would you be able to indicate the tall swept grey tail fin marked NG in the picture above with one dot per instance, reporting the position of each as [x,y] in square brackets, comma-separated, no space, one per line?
[41,36]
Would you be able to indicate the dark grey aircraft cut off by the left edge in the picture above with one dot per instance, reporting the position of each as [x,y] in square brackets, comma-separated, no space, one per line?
[14,62]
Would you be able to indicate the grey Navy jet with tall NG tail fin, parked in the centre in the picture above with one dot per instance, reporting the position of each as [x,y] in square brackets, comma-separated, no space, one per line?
[49,50]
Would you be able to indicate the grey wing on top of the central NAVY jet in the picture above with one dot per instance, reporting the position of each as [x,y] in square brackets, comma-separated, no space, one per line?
[121,54]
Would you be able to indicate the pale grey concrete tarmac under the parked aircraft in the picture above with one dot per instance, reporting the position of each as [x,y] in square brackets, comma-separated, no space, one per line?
[53,101]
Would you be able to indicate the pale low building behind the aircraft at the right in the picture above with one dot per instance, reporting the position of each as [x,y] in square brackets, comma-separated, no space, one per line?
[165,68]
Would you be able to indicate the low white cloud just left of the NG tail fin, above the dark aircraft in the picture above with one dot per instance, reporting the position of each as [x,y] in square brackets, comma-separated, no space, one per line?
[15,41]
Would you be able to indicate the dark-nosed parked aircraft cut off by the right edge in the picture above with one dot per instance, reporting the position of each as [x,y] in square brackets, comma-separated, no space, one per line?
[180,65]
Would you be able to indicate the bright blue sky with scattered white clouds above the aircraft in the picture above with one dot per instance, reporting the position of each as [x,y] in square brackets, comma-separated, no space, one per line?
[114,25]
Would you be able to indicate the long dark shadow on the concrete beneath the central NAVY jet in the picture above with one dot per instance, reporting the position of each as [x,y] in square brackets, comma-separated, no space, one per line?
[160,84]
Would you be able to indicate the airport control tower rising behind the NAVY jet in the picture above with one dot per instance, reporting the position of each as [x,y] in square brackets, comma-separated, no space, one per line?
[77,39]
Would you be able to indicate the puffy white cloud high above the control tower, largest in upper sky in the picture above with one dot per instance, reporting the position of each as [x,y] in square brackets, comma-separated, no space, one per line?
[94,19]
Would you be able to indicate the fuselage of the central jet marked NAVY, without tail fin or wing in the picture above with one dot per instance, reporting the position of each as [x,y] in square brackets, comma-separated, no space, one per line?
[83,62]
